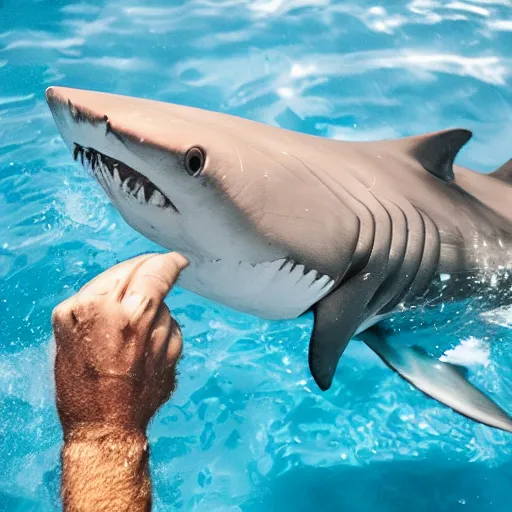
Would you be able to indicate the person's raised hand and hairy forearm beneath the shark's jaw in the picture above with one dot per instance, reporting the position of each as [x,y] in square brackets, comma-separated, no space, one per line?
[117,347]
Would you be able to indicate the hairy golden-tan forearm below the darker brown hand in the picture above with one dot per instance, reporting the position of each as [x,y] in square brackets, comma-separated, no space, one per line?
[105,469]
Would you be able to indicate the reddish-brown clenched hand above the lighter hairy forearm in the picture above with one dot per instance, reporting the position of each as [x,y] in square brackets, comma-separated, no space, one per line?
[118,346]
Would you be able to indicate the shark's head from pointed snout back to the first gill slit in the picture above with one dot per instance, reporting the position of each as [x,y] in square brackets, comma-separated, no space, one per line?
[228,193]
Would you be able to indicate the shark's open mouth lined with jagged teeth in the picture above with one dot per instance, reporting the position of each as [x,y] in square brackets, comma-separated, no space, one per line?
[128,180]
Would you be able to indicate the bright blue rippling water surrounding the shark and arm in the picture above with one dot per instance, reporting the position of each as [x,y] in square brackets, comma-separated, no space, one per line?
[247,429]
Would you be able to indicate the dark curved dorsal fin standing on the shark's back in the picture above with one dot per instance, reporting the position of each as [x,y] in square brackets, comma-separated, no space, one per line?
[437,151]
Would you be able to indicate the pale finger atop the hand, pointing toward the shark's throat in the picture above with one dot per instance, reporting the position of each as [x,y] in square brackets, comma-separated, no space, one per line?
[153,279]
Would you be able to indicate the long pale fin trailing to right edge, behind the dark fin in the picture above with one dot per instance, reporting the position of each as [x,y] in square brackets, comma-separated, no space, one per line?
[441,381]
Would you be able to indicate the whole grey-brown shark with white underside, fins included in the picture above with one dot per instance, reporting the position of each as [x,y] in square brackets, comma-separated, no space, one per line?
[275,223]
